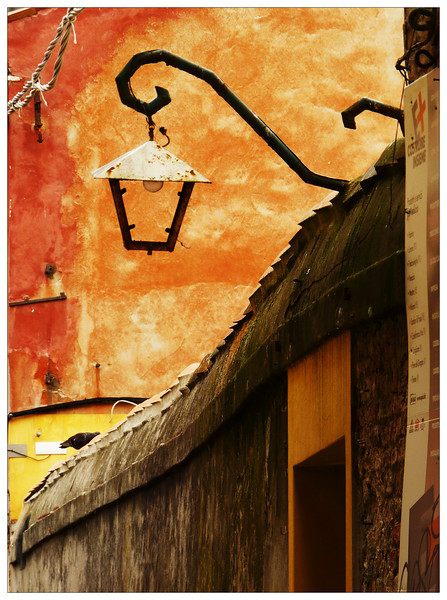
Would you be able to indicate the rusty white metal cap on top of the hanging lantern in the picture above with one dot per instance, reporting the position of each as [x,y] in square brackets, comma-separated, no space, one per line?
[149,162]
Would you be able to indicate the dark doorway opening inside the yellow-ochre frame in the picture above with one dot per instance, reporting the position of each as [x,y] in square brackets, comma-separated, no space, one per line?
[320,521]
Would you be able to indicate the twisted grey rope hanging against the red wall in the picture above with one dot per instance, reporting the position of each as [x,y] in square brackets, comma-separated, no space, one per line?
[34,85]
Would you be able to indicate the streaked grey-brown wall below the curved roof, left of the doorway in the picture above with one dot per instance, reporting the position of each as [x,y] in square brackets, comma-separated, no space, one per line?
[212,524]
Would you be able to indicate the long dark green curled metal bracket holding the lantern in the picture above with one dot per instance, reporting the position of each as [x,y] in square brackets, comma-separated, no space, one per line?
[154,56]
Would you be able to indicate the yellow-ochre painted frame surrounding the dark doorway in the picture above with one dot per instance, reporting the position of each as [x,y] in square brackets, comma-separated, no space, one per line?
[319,416]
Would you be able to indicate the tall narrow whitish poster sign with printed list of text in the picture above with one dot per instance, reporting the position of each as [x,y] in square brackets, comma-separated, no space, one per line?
[419,543]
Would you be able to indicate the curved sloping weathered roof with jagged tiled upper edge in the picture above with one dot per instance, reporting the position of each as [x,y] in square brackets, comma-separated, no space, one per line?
[344,266]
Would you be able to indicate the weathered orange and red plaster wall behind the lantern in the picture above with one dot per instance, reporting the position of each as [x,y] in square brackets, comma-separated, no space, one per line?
[143,318]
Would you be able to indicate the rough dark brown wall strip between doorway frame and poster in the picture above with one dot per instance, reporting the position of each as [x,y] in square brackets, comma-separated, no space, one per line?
[379,409]
